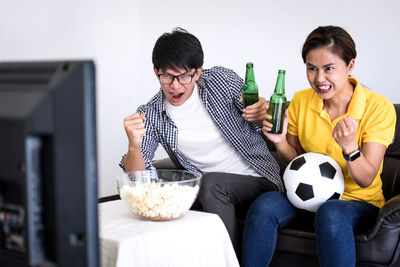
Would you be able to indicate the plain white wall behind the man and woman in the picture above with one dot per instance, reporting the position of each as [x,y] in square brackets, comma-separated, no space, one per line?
[119,35]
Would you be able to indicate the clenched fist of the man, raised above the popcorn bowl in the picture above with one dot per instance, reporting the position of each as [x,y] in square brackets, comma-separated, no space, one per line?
[134,128]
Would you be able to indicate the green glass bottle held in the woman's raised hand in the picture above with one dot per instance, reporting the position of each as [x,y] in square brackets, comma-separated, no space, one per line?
[277,104]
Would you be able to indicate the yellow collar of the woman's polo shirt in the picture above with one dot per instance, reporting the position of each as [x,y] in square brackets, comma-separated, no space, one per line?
[357,103]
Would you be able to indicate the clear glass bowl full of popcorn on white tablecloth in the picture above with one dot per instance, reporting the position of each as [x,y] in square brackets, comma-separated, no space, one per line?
[159,195]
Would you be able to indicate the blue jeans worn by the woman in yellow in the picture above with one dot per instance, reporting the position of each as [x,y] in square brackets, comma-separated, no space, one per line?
[334,224]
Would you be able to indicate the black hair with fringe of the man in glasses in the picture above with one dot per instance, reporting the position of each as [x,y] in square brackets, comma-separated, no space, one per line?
[177,50]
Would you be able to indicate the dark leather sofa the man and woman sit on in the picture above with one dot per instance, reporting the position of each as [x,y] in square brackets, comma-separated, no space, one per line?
[376,245]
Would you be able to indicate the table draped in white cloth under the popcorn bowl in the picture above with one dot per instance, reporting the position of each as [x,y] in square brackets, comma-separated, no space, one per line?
[196,239]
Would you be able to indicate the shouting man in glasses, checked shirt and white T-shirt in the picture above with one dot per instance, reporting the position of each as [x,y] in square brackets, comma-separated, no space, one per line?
[199,119]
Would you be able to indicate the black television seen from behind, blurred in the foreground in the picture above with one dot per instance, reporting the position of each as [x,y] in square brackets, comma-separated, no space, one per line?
[48,164]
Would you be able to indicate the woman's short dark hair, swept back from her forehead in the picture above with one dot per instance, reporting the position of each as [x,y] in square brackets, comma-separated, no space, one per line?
[335,38]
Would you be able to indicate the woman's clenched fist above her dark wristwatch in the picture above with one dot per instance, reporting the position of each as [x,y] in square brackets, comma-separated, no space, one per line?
[344,133]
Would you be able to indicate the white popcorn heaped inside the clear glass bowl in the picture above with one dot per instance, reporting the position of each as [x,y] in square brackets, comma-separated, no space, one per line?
[159,201]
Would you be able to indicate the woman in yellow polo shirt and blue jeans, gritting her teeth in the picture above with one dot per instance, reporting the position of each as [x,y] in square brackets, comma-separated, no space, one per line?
[340,118]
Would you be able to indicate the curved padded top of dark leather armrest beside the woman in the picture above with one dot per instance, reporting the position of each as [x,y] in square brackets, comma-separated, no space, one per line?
[387,219]
